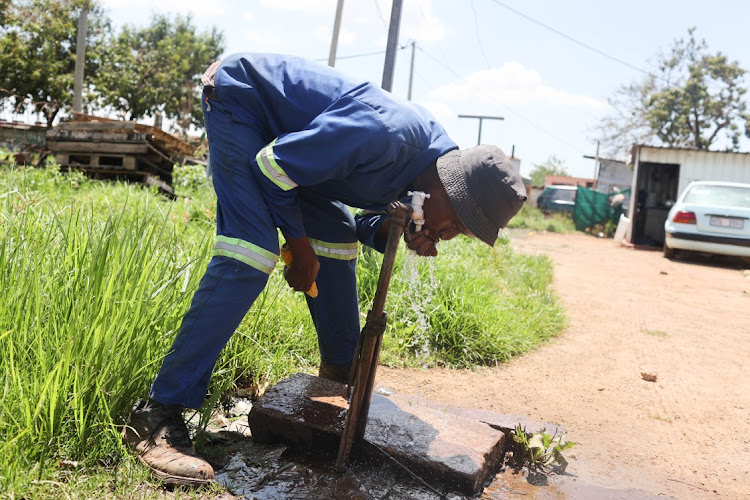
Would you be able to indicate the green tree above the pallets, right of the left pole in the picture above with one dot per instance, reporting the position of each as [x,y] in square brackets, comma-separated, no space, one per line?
[158,69]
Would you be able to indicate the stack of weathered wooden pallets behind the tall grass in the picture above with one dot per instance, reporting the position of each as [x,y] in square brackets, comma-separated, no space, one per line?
[114,149]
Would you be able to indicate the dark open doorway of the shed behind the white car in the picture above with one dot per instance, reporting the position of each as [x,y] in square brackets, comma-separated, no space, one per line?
[656,192]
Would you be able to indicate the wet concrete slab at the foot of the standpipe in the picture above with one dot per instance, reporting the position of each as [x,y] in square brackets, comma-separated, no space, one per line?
[442,446]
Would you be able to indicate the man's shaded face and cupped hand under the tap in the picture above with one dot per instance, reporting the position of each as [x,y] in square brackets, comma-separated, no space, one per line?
[441,223]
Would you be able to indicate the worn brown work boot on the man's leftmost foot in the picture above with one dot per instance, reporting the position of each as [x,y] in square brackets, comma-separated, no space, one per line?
[158,435]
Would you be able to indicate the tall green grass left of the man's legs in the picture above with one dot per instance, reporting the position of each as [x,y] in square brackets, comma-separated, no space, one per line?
[93,293]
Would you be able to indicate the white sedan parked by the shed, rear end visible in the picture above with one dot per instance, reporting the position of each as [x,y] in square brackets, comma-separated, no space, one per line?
[710,217]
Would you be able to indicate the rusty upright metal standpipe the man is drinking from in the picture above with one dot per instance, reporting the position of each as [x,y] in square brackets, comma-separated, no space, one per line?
[368,346]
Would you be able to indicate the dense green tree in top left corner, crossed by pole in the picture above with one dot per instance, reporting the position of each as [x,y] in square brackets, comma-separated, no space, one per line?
[37,52]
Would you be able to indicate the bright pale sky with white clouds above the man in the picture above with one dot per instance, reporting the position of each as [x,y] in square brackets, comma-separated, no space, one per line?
[547,67]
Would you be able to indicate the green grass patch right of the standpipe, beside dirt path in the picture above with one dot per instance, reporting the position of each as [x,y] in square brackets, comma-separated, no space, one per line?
[482,307]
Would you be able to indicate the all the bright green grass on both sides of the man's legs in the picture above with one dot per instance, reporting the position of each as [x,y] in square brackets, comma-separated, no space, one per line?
[96,277]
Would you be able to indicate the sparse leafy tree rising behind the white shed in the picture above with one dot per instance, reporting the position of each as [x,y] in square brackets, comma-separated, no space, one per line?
[694,99]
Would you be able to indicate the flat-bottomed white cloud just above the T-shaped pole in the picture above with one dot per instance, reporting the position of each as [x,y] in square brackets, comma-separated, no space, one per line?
[514,85]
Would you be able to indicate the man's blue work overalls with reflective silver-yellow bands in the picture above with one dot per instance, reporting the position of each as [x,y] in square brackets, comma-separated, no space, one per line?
[292,144]
